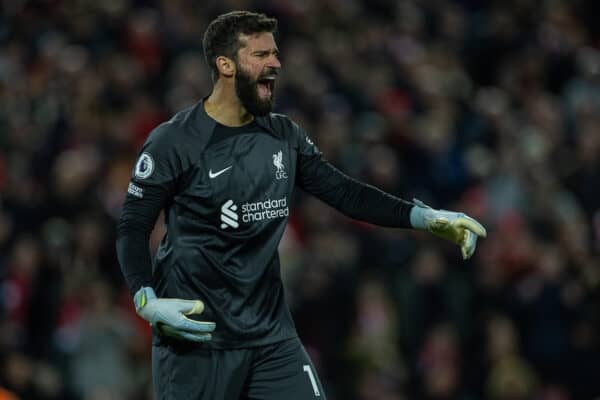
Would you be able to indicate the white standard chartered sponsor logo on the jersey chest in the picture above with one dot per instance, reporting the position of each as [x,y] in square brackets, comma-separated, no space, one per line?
[252,212]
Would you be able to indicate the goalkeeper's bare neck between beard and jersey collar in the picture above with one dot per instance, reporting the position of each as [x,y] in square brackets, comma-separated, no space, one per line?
[225,107]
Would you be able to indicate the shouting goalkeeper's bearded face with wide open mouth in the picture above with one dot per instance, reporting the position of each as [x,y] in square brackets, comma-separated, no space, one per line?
[257,66]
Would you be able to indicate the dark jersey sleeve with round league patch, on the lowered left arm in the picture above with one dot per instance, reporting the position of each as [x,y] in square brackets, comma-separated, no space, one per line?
[153,183]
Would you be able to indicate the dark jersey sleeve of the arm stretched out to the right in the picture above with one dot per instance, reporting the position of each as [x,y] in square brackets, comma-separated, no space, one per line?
[353,198]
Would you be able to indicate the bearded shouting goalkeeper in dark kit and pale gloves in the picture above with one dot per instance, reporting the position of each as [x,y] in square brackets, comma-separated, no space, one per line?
[224,171]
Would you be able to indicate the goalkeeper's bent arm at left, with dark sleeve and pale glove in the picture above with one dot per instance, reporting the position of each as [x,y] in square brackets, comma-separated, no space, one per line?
[152,186]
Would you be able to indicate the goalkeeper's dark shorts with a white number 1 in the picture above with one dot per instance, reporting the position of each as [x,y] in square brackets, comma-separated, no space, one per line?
[273,372]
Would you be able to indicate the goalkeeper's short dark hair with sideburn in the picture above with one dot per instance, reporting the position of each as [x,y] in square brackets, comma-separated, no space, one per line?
[222,35]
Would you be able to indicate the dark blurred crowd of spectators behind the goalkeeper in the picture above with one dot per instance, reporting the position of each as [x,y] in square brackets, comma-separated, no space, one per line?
[488,107]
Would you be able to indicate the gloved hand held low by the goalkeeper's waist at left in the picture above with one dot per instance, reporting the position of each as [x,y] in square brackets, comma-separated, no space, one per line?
[169,316]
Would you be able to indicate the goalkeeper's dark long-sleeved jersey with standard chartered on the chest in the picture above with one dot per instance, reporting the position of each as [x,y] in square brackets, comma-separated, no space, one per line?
[226,193]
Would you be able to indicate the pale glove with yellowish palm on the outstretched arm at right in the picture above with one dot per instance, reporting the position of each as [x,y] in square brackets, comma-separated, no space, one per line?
[455,227]
